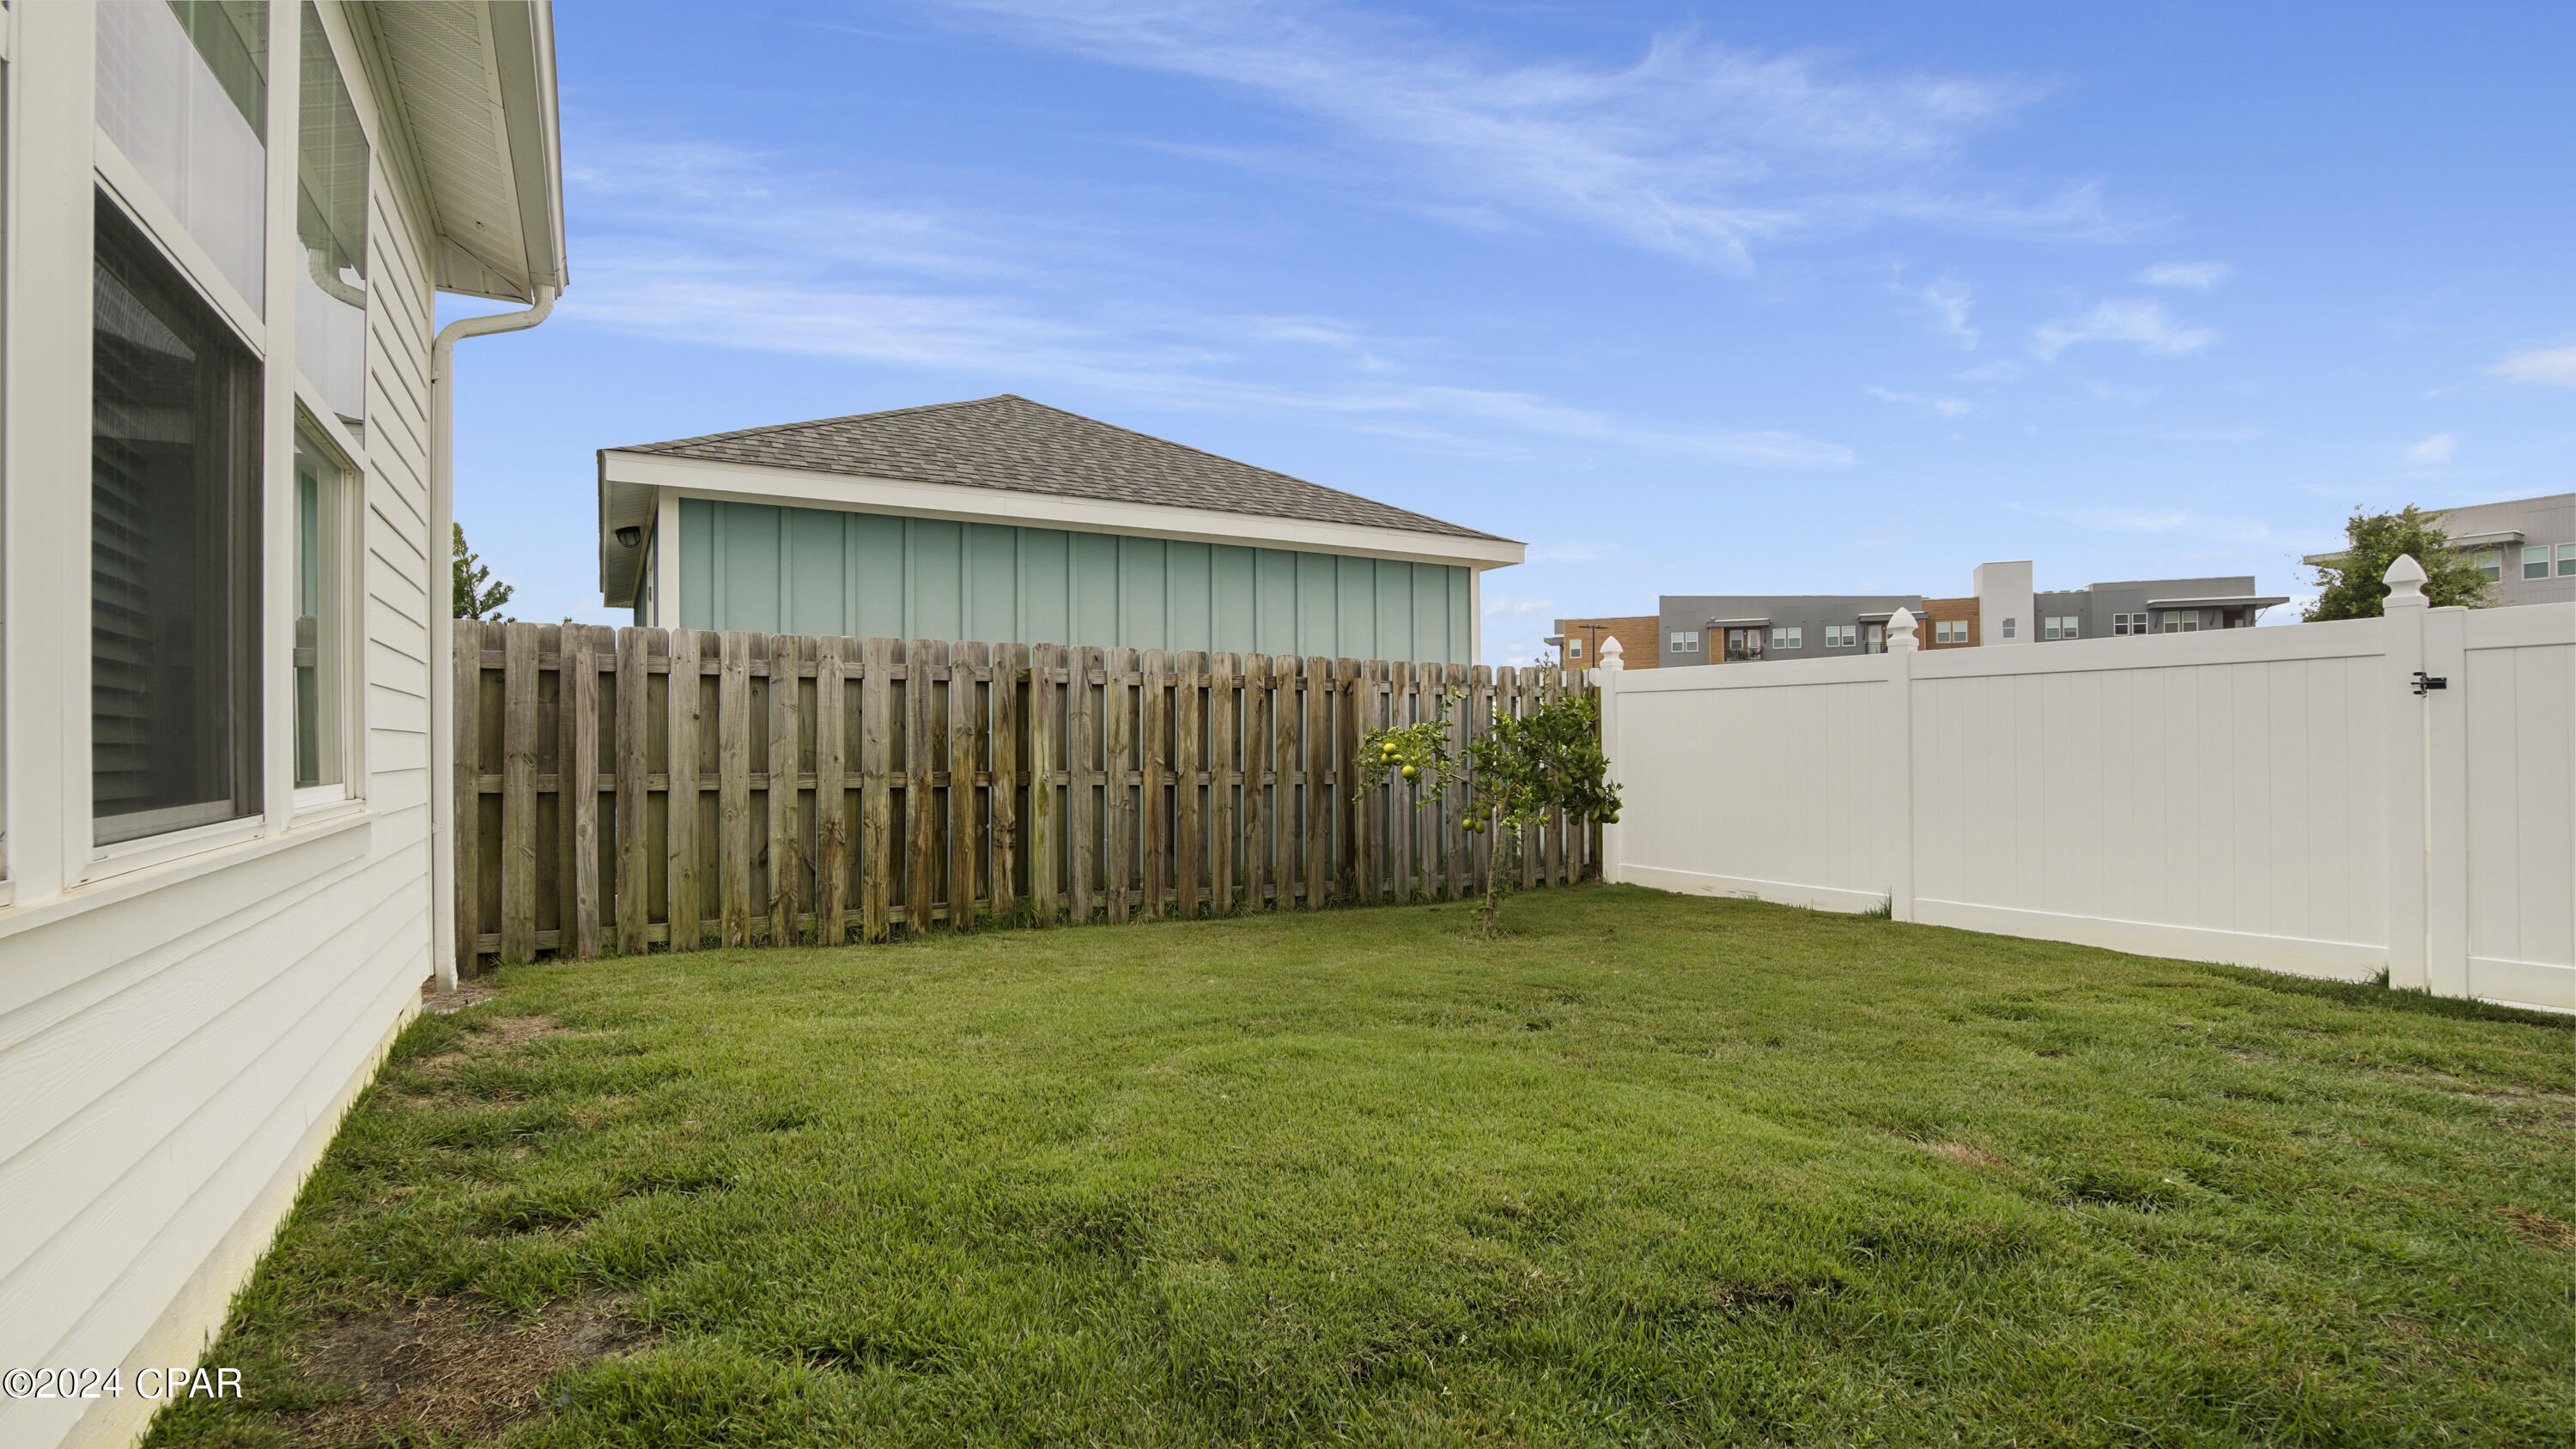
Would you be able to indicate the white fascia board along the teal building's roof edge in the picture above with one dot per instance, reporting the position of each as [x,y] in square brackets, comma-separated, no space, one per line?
[802,488]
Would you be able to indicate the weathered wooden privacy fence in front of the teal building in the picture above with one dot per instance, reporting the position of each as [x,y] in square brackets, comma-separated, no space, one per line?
[774,789]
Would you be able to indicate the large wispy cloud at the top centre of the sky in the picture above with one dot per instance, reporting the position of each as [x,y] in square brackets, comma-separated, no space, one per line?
[1694,148]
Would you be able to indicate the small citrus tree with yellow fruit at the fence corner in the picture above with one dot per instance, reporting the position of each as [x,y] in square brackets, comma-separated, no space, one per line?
[1519,773]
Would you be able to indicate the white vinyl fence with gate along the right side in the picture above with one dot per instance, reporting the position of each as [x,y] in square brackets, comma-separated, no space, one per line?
[2268,797]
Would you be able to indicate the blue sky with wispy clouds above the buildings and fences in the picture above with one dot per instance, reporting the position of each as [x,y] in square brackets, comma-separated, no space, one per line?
[1694,300]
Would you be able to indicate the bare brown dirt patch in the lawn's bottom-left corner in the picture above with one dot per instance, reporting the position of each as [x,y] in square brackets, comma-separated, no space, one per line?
[450,1371]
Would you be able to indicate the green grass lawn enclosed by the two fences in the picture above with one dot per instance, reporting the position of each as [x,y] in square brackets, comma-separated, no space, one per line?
[1650,1172]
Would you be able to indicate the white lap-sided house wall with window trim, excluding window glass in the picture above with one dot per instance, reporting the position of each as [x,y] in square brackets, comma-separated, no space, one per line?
[184,1020]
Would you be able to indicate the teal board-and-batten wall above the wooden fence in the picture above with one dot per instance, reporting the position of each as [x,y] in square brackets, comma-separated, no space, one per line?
[800,570]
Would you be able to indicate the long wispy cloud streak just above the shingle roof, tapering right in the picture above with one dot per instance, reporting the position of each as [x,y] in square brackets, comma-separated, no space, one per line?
[1024,302]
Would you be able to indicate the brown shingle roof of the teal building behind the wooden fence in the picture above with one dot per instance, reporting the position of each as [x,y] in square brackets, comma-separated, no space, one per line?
[1024,447]
